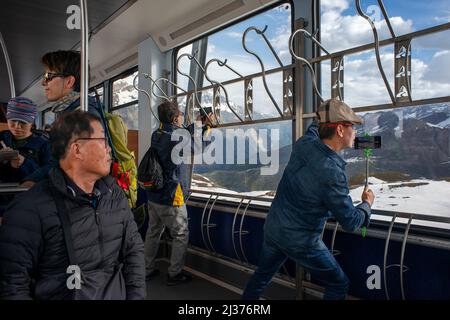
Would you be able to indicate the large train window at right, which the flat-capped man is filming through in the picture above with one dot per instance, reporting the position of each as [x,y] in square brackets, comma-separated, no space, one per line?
[410,171]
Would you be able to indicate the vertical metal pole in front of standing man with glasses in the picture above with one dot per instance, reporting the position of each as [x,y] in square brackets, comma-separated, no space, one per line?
[84,57]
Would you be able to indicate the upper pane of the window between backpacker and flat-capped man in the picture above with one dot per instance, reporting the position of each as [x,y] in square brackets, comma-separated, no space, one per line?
[279,24]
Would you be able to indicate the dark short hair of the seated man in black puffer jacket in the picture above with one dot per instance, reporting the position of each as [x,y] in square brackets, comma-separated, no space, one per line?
[70,125]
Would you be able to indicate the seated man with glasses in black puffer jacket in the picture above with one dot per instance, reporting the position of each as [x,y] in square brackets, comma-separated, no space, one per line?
[34,261]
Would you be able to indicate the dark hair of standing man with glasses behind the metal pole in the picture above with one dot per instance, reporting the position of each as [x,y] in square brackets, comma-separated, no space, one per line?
[65,62]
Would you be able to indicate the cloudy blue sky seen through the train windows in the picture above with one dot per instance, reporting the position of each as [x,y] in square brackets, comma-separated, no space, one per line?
[341,28]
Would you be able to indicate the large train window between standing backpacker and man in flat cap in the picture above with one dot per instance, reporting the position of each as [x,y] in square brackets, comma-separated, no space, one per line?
[255,148]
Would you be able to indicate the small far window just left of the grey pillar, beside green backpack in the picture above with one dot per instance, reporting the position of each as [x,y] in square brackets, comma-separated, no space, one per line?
[125,99]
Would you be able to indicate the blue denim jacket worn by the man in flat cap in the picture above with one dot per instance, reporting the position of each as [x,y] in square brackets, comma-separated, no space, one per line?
[312,189]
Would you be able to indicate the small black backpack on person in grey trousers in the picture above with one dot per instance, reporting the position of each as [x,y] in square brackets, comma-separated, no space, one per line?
[150,172]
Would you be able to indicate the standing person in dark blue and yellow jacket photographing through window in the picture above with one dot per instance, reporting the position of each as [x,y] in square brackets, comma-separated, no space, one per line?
[167,207]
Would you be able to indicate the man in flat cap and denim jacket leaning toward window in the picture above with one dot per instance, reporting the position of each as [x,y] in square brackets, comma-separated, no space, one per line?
[312,189]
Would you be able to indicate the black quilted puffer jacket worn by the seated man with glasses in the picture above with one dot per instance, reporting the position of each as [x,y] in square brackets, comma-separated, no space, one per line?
[33,255]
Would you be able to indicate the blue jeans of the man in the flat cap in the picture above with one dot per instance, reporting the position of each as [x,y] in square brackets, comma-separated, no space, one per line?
[319,262]
